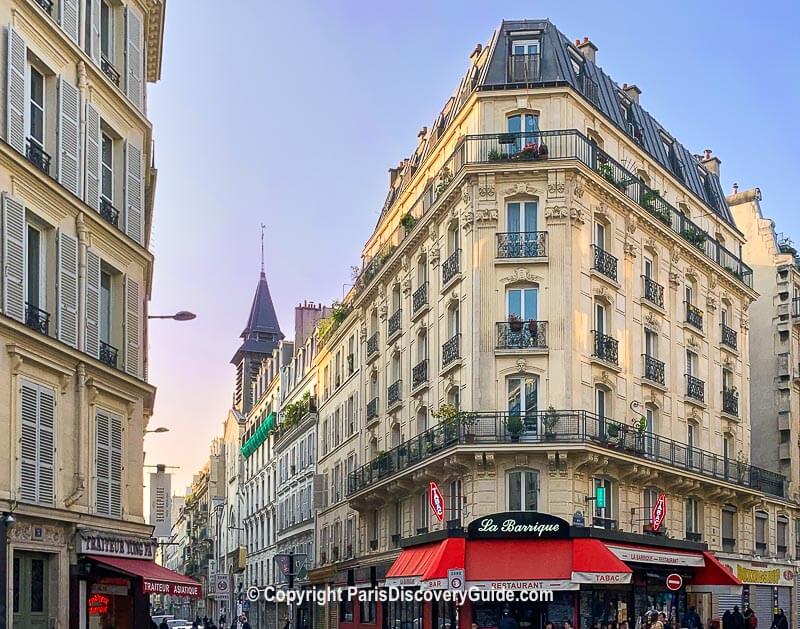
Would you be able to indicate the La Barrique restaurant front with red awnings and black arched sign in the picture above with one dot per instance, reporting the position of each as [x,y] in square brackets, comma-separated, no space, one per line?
[599,579]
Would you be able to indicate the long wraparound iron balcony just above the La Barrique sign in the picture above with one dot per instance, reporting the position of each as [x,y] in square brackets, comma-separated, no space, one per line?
[553,427]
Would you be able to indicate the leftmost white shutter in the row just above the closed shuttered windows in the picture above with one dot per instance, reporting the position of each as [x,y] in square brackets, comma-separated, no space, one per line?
[13,257]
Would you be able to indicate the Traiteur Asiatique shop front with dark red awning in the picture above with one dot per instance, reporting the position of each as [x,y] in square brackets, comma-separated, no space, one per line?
[111,583]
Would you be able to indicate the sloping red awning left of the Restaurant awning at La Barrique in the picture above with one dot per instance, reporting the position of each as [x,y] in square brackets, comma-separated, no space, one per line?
[427,564]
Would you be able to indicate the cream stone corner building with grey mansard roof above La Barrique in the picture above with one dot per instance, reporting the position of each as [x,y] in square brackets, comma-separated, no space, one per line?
[552,262]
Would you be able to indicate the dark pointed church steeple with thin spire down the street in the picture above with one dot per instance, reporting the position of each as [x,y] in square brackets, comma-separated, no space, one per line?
[261,335]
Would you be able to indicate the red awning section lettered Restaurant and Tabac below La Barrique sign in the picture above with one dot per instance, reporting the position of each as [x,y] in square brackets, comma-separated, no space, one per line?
[558,564]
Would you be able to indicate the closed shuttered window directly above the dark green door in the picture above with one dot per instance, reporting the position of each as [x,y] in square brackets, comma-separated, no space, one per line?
[37,443]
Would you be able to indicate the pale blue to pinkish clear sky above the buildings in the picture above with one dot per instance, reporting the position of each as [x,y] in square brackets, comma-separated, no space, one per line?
[290,113]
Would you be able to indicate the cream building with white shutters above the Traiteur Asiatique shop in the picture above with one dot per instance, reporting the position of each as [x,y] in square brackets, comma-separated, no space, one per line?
[77,181]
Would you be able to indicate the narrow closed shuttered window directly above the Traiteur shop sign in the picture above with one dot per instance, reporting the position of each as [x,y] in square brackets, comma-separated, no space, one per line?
[108,467]
